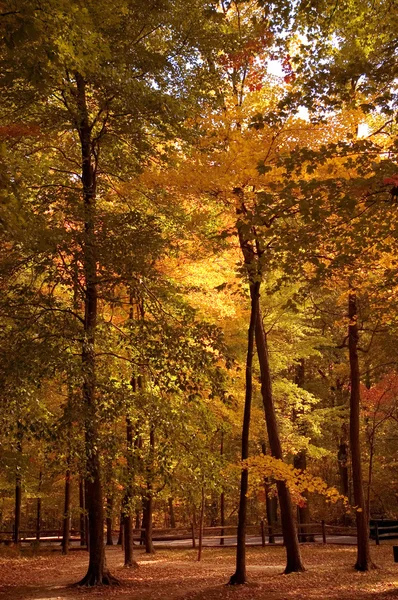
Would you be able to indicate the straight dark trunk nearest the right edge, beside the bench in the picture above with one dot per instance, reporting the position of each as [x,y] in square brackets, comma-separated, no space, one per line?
[364,562]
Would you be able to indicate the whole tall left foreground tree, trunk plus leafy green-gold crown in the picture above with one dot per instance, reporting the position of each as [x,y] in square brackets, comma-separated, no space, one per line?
[101,73]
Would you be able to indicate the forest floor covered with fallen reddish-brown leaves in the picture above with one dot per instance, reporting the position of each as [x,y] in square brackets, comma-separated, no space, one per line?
[176,574]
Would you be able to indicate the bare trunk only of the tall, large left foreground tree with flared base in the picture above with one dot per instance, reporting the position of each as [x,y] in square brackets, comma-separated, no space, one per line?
[97,573]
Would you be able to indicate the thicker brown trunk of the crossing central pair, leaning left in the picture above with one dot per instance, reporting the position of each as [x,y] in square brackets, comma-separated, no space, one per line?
[289,530]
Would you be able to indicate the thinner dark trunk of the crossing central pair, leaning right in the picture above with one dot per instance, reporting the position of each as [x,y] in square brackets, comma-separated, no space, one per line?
[239,577]
